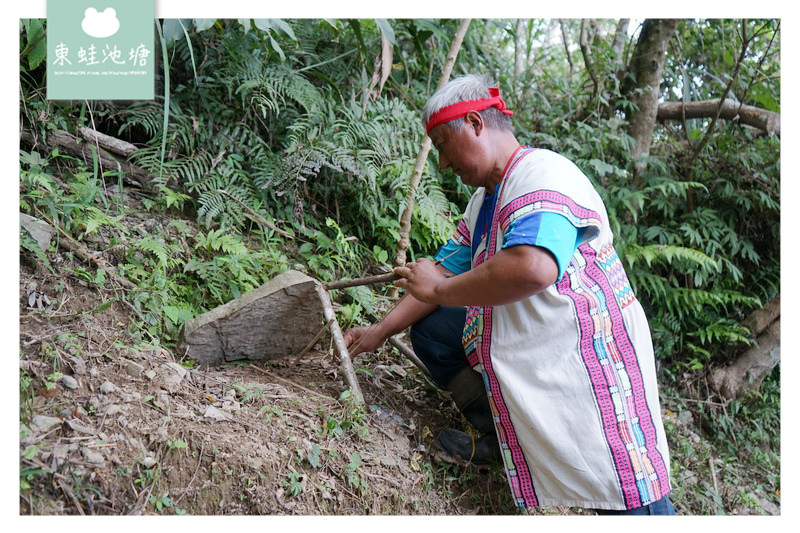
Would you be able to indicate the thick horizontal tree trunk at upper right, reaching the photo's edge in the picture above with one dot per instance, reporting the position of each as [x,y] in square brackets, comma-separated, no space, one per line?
[765,120]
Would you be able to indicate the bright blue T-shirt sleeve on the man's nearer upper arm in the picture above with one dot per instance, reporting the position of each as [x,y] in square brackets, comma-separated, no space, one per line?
[551,231]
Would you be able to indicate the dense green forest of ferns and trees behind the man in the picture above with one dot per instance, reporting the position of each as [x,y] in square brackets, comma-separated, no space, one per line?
[278,142]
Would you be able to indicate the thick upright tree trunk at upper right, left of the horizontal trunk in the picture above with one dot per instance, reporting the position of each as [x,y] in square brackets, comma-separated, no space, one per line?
[647,65]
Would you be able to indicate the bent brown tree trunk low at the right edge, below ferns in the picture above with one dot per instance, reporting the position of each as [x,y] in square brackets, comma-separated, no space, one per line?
[747,372]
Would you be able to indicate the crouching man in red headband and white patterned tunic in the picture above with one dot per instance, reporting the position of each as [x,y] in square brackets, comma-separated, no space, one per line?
[530,321]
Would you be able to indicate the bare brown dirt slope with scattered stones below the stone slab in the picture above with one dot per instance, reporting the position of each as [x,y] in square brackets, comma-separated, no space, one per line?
[113,424]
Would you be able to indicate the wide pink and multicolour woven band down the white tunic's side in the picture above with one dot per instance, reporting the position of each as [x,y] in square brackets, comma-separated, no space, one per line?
[610,360]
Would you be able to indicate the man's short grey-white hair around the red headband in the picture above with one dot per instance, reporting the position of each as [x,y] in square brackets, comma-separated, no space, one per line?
[467,87]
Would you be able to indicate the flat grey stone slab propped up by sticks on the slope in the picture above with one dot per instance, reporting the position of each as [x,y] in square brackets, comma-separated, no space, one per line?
[273,321]
